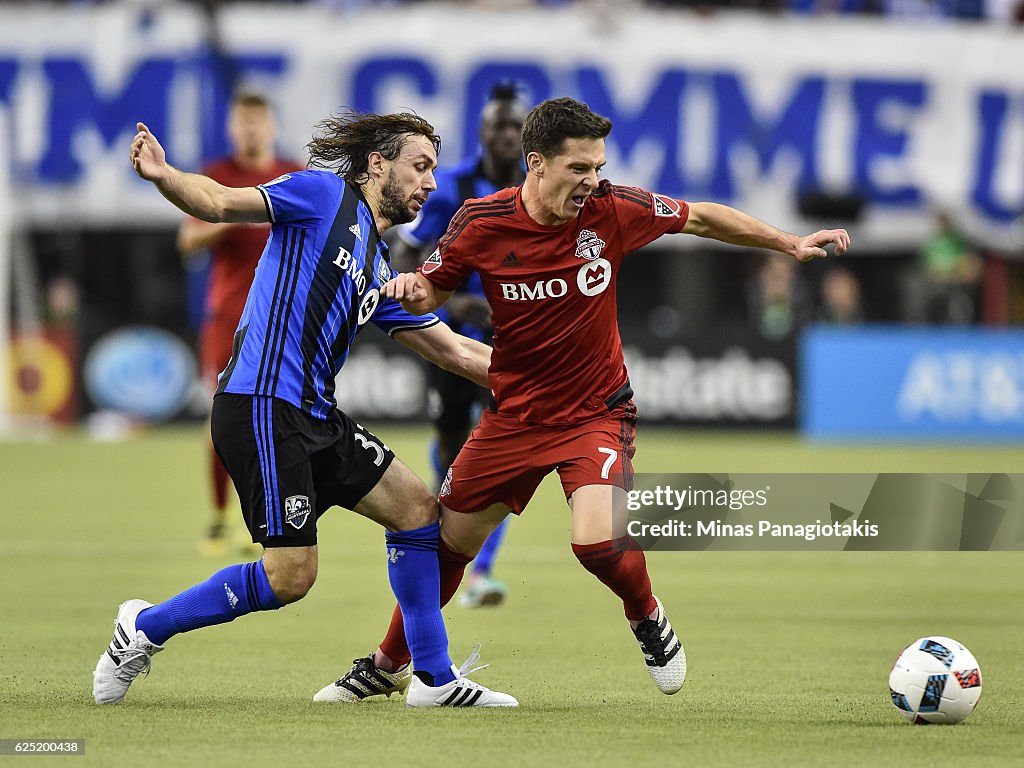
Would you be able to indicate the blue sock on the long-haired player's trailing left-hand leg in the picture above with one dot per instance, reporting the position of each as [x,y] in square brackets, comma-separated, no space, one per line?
[230,593]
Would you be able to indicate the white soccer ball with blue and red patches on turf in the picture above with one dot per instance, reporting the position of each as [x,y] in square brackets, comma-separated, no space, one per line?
[935,680]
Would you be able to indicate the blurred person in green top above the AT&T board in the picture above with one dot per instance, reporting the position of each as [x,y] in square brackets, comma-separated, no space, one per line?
[949,277]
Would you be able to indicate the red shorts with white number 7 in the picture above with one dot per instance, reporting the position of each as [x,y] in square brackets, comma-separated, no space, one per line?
[504,461]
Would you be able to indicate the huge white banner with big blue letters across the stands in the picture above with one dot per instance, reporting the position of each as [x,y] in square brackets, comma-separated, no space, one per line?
[744,110]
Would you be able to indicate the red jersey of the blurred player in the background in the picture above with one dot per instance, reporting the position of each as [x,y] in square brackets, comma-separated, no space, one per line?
[234,258]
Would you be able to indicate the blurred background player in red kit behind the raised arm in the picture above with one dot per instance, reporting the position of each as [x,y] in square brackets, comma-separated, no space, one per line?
[235,250]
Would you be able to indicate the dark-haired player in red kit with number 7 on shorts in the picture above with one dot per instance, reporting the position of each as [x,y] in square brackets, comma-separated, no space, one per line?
[548,253]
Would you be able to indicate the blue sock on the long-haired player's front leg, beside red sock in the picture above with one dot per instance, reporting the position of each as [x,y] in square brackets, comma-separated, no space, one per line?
[415,580]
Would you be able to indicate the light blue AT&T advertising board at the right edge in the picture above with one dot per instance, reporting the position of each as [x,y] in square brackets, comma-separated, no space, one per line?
[913,385]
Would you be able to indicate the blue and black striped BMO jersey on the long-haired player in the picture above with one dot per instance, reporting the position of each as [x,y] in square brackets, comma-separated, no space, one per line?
[317,284]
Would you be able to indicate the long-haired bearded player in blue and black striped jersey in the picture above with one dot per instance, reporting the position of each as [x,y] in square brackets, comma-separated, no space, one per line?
[290,452]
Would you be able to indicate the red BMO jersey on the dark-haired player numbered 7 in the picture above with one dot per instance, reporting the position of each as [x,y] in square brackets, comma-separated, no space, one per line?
[558,354]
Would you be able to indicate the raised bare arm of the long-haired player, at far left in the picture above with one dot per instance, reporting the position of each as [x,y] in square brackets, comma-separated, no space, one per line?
[196,195]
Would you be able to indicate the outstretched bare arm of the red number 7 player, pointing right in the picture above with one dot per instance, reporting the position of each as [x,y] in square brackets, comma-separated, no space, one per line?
[730,226]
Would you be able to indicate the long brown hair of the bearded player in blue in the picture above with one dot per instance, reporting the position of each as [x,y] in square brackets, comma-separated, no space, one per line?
[344,143]
